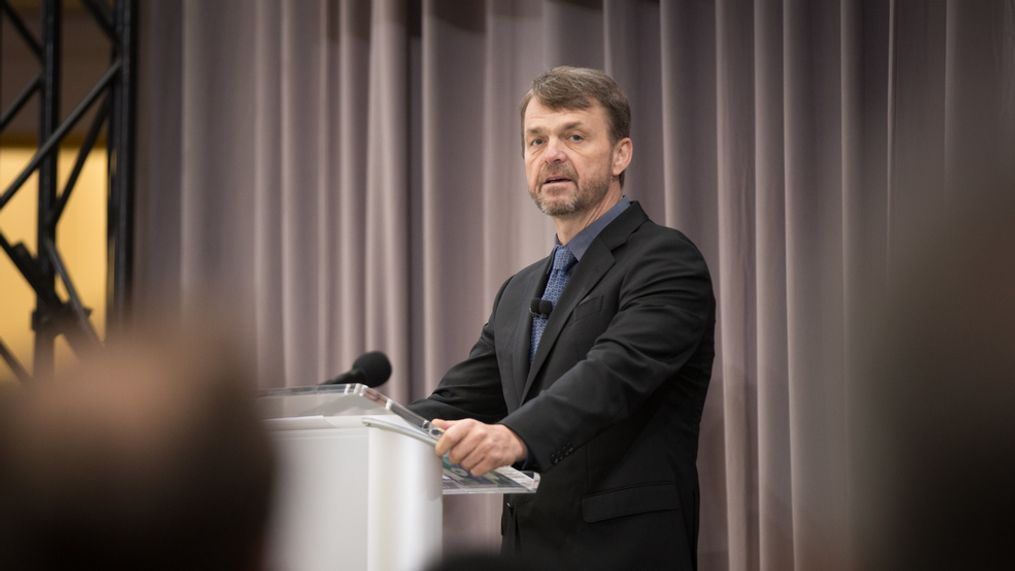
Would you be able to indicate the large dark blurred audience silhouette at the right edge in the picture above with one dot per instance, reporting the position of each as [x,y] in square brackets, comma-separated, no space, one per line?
[934,412]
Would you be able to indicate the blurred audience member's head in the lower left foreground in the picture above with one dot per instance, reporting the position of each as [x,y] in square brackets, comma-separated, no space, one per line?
[149,456]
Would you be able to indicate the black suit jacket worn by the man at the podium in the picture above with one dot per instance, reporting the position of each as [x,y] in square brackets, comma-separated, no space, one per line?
[610,409]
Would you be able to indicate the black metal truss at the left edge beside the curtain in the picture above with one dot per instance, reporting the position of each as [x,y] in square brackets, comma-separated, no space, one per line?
[114,96]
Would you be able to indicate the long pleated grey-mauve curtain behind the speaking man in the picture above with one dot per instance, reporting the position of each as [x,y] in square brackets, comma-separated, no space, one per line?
[347,176]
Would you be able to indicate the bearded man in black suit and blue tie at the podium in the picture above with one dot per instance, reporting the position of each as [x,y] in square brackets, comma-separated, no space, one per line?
[594,365]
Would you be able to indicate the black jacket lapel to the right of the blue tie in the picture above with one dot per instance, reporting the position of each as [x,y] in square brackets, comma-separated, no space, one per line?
[596,262]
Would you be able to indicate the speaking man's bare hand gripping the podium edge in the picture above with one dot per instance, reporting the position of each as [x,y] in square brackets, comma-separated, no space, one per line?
[479,448]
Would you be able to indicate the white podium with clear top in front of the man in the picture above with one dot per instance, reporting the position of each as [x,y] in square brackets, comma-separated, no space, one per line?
[350,495]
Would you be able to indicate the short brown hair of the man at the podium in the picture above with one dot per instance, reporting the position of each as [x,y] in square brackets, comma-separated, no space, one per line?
[566,88]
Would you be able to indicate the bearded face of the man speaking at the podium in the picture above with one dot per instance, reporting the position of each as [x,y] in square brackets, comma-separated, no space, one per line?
[570,161]
